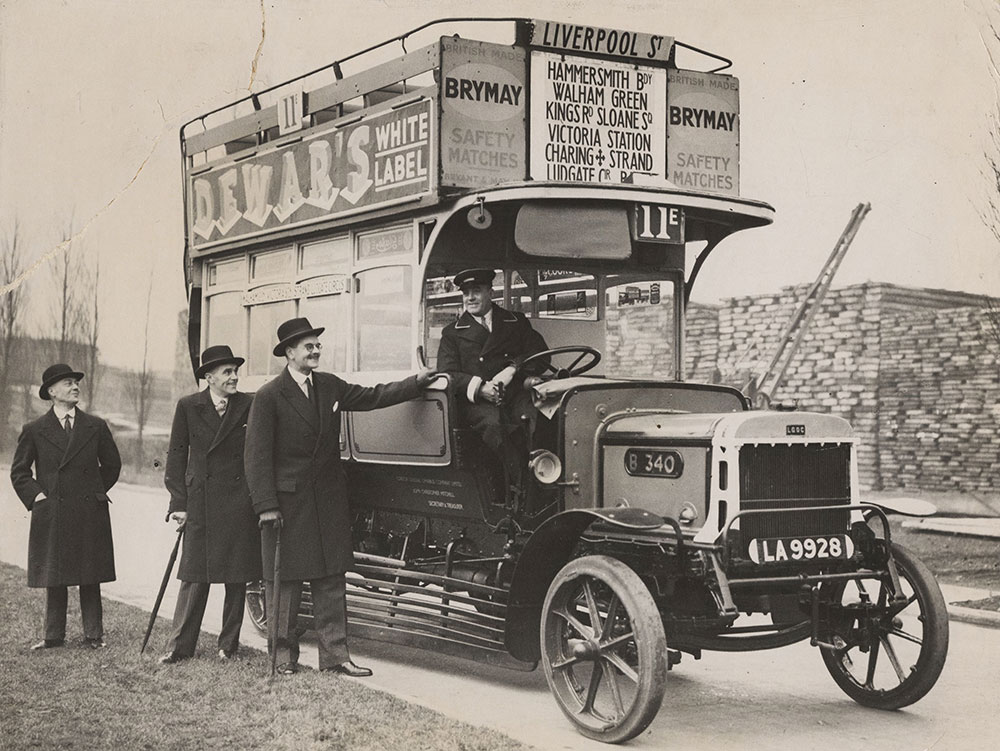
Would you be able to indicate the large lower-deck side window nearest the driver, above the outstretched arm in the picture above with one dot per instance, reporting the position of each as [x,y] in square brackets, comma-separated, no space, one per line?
[383,319]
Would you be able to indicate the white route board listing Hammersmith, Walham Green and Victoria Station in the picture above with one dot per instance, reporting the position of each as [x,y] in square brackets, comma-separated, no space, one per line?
[596,120]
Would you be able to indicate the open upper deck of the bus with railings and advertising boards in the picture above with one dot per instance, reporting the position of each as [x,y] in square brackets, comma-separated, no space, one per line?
[561,103]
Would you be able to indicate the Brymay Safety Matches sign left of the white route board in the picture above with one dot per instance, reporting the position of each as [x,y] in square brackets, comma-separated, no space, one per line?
[482,113]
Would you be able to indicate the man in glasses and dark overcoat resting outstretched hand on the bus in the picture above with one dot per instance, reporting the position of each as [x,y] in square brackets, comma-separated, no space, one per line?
[296,480]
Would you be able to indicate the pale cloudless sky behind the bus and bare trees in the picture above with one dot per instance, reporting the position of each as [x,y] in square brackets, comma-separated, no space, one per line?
[842,102]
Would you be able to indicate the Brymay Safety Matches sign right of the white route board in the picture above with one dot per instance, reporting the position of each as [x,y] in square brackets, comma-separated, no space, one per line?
[703,131]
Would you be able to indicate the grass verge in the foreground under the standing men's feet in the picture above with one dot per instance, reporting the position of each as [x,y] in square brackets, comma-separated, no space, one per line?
[77,698]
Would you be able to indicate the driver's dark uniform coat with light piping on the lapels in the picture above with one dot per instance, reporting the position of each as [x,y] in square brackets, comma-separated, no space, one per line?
[470,352]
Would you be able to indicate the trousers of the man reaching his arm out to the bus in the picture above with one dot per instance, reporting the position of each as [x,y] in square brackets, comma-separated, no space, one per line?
[329,619]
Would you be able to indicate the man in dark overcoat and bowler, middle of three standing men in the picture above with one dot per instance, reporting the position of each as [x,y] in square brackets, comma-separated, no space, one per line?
[209,497]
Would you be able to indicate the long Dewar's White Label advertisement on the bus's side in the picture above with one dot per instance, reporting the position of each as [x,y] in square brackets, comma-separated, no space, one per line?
[380,159]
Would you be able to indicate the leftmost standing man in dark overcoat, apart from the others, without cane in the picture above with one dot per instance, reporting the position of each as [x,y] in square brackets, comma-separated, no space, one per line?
[75,462]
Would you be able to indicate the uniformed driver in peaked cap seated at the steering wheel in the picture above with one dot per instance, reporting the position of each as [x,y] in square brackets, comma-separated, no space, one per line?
[482,352]
